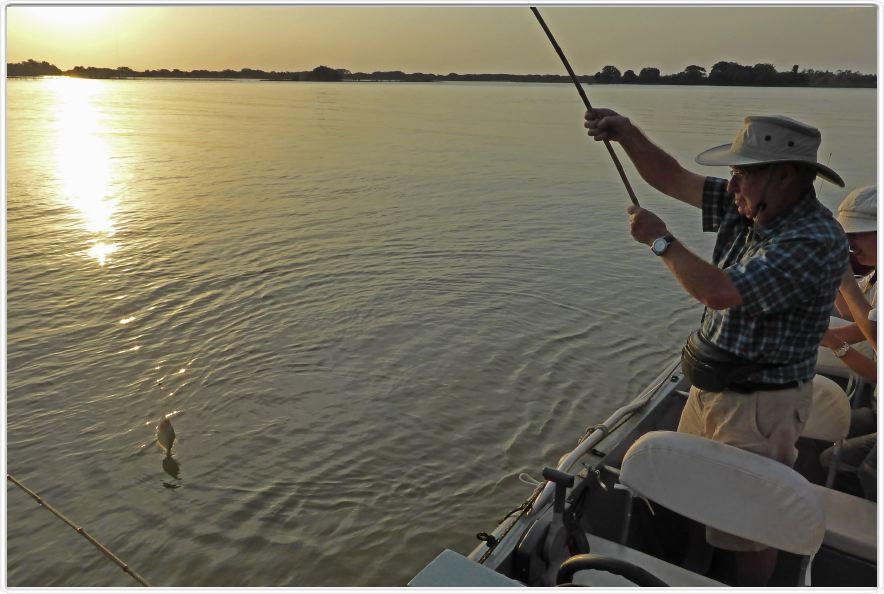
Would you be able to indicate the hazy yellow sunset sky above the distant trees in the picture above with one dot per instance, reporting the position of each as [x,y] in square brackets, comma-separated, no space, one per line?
[443,39]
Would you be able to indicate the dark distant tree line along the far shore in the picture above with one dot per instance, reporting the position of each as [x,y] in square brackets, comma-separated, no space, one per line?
[722,74]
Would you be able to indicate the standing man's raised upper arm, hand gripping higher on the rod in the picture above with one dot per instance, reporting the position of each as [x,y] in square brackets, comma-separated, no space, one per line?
[656,166]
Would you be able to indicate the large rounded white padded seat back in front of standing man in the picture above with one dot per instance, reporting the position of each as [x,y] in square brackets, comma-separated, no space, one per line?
[727,488]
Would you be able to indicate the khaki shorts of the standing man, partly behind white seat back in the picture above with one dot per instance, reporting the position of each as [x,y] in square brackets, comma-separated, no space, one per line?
[766,423]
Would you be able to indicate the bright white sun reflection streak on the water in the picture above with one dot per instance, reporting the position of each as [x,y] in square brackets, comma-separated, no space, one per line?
[84,168]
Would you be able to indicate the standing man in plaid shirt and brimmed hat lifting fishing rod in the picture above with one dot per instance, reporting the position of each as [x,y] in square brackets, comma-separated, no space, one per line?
[778,259]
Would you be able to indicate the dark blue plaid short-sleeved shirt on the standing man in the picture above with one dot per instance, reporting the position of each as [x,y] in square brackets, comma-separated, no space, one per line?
[787,274]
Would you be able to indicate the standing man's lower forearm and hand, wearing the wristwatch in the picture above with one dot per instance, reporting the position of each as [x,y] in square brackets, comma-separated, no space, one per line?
[703,281]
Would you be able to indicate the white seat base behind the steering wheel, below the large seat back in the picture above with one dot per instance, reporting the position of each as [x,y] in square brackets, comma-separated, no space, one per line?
[673,575]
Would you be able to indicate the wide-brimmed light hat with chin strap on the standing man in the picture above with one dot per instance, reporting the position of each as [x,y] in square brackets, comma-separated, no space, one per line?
[771,139]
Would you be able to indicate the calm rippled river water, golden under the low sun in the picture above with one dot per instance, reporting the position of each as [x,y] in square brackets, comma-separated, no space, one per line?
[371,306]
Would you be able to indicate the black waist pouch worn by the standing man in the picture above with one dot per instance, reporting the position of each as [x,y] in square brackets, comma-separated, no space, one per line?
[711,368]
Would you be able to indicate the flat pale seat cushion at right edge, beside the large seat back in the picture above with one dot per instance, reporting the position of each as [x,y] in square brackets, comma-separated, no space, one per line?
[850,523]
